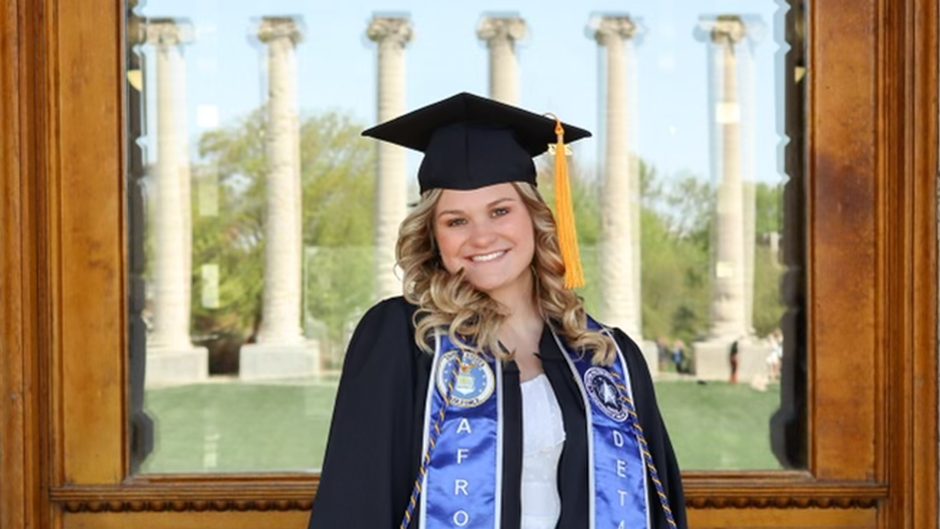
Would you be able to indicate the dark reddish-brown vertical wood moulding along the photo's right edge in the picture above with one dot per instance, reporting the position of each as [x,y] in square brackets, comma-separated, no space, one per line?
[910,448]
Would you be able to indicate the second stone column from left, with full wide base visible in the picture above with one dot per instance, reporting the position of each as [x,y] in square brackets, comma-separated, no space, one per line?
[281,350]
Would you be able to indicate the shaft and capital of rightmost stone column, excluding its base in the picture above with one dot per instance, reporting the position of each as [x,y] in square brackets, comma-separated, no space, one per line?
[728,307]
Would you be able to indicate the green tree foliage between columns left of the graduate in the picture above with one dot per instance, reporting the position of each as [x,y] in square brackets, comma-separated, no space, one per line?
[337,168]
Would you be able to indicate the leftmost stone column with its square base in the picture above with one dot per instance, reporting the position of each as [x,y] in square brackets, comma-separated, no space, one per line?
[171,356]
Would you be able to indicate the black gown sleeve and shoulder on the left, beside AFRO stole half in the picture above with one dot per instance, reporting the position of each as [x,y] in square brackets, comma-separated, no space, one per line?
[369,464]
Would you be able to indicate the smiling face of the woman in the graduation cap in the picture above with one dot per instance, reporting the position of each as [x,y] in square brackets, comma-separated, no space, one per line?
[487,232]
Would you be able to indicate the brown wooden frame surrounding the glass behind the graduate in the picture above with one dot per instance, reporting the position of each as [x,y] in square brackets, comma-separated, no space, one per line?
[872,229]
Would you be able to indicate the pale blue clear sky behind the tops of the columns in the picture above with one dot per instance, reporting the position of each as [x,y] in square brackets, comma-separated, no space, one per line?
[559,67]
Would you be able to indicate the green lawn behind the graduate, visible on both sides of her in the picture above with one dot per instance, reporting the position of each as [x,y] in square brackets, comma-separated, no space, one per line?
[235,427]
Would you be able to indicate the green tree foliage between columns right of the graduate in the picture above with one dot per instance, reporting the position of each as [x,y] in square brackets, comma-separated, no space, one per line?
[676,223]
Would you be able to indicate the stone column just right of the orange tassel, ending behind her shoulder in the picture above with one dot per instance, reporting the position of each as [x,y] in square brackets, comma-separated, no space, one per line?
[620,304]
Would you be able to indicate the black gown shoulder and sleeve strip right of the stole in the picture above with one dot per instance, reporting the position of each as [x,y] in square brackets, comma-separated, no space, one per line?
[644,397]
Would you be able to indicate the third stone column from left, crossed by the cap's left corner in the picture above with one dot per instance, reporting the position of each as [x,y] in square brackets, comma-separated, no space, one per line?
[391,34]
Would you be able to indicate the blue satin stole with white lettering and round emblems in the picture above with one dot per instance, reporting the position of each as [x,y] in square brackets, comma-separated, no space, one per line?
[460,480]
